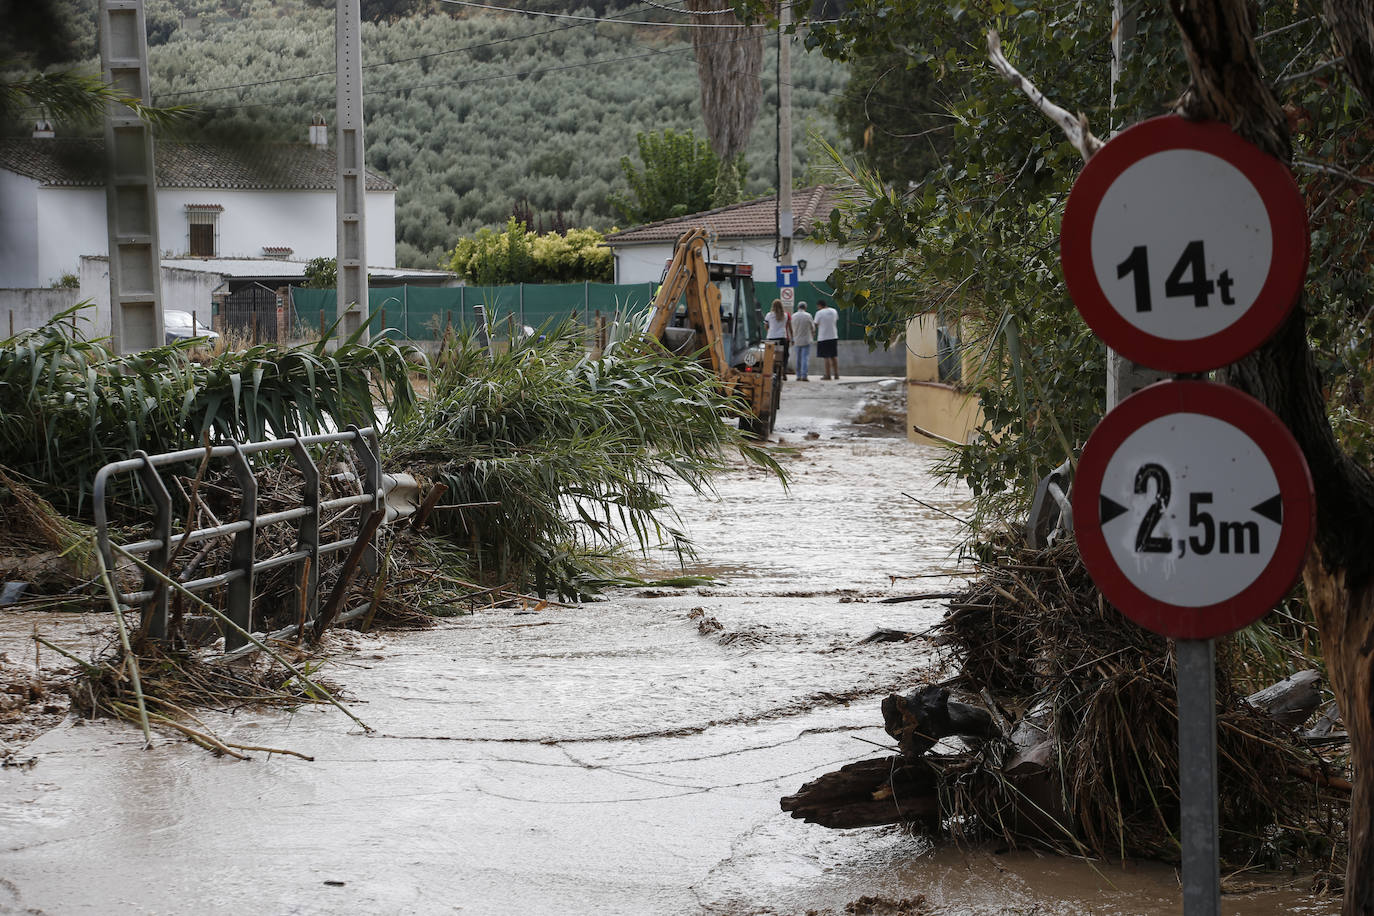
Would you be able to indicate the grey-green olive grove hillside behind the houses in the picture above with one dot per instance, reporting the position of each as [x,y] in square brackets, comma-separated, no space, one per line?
[473,112]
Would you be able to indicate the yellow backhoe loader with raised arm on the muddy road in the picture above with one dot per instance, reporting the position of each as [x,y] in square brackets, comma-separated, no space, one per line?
[708,308]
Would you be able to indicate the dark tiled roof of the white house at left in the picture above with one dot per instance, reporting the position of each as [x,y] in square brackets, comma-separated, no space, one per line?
[286,167]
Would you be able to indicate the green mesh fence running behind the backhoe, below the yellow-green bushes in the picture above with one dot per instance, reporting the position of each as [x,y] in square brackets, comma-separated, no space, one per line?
[421,314]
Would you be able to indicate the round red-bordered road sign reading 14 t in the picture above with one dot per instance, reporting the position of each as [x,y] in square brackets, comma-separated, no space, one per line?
[1184,247]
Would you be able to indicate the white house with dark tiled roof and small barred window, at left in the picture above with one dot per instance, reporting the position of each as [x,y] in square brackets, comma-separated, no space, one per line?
[258,201]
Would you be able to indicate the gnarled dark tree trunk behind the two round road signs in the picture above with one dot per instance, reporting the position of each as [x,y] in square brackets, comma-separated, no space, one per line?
[1218,38]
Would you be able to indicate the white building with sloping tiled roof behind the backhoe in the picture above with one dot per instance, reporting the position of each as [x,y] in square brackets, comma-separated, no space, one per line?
[743,233]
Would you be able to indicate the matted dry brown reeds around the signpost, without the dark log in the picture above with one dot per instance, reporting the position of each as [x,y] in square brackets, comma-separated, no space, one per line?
[1034,632]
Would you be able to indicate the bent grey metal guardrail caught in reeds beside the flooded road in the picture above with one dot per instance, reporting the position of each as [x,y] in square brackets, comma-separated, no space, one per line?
[238,577]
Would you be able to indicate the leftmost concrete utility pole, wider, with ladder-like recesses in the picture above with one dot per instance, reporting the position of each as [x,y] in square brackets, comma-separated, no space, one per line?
[131,186]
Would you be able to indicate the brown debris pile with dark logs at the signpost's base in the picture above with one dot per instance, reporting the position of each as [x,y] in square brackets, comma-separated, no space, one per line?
[1071,735]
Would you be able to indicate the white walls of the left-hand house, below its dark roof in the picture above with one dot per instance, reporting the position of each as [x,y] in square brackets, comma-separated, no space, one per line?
[71,225]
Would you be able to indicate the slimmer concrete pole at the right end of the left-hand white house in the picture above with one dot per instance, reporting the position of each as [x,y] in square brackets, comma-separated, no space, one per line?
[351,178]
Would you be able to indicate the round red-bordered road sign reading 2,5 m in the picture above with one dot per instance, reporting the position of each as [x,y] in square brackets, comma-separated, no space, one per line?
[1193,509]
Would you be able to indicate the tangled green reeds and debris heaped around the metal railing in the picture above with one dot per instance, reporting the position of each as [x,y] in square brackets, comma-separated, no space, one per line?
[543,463]
